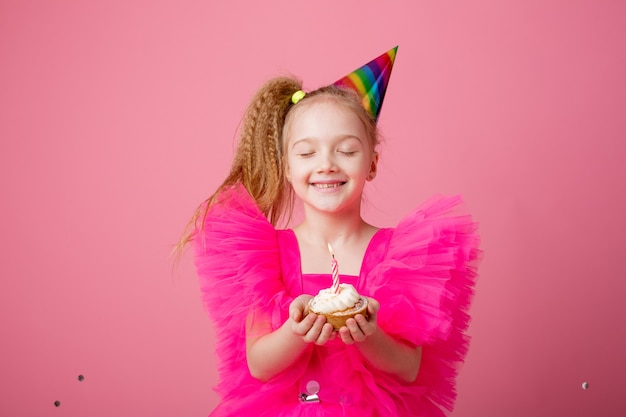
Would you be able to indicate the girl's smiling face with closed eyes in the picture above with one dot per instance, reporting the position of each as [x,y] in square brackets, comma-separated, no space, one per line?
[329,157]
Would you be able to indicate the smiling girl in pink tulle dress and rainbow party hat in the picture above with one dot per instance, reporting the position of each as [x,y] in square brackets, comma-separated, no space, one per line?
[276,358]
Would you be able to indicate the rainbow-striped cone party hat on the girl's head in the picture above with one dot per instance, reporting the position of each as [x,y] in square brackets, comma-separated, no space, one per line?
[371,80]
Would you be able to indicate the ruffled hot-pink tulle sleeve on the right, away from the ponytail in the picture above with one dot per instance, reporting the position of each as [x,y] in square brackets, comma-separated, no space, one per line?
[425,284]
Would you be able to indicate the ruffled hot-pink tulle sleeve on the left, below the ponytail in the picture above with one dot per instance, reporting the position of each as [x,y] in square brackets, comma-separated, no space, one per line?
[237,260]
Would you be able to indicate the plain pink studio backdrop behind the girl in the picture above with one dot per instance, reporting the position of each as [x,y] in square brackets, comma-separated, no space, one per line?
[118,117]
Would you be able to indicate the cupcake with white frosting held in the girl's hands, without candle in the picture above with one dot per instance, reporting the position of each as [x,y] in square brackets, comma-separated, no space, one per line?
[337,308]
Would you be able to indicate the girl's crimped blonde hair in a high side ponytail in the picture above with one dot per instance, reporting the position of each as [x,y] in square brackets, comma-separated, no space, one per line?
[259,161]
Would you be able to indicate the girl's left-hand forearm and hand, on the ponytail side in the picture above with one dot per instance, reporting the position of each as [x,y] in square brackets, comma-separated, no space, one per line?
[271,352]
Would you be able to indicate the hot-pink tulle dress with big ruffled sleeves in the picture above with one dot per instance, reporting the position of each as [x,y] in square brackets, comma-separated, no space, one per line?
[422,273]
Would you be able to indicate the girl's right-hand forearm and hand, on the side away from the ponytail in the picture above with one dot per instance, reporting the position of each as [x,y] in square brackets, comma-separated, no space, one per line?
[380,349]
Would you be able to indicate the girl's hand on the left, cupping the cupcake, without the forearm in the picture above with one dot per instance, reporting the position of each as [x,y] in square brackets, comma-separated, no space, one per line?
[311,327]
